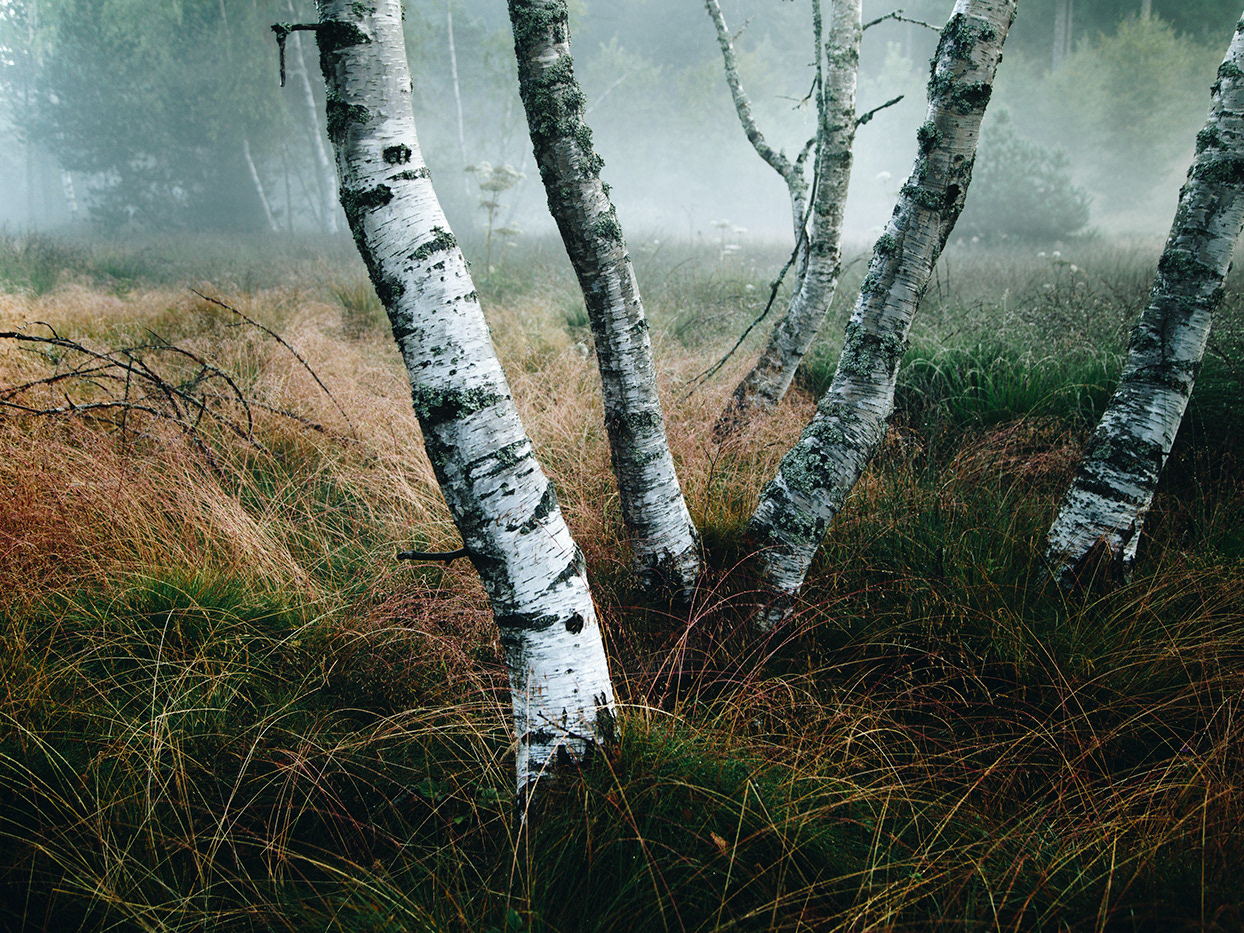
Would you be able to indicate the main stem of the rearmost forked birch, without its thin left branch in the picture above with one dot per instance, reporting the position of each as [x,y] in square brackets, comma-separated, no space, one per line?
[768,381]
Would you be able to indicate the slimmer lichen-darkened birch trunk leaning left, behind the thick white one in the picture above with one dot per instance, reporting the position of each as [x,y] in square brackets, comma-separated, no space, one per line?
[664,538]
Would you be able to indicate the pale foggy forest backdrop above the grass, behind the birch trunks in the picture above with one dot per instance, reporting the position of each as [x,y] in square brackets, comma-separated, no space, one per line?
[123,119]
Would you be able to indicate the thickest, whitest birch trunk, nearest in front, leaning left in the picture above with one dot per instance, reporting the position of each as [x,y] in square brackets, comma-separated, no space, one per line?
[502,503]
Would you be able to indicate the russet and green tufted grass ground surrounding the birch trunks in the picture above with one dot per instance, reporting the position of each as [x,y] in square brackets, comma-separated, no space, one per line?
[225,706]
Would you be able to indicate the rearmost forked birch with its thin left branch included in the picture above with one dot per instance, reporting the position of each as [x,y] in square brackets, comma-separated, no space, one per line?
[820,256]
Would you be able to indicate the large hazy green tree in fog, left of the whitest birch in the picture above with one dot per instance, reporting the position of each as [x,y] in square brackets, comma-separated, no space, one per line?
[161,104]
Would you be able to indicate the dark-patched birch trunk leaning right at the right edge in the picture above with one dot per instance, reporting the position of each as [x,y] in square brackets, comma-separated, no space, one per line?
[1114,486]
